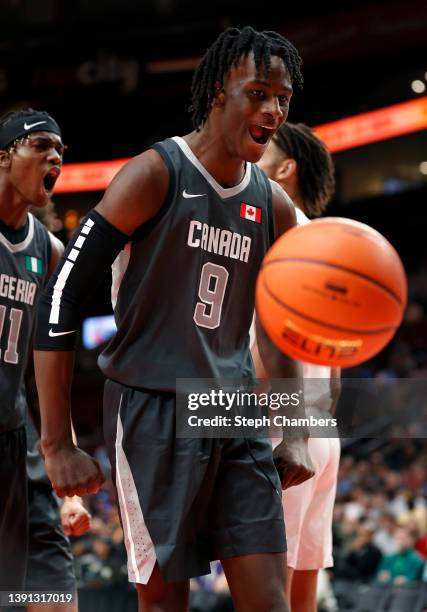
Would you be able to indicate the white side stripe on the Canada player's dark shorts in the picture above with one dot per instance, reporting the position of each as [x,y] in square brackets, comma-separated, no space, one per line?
[139,546]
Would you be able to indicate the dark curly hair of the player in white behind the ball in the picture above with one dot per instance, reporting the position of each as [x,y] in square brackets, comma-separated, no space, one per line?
[315,167]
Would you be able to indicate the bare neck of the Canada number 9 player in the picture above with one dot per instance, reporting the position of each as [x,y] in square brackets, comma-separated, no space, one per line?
[213,155]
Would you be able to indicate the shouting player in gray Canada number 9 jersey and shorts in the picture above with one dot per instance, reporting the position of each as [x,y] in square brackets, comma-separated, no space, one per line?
[191,219]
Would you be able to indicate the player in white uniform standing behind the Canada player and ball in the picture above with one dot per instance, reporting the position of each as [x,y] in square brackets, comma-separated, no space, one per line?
[300,162]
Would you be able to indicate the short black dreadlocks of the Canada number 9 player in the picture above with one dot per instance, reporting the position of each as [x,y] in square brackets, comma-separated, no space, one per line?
[226,52]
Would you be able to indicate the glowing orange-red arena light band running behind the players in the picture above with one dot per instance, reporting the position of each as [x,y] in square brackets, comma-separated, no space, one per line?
[341,135]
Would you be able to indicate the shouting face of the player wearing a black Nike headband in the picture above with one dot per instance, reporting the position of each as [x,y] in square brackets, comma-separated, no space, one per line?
[36,162]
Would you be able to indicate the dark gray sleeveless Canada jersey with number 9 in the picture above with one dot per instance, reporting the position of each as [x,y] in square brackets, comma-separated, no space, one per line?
[185,284]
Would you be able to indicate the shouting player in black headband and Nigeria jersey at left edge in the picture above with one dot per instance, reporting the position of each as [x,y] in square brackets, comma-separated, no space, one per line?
[30,161]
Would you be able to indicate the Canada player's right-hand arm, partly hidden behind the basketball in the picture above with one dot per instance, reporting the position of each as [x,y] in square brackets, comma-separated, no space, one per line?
[291,456]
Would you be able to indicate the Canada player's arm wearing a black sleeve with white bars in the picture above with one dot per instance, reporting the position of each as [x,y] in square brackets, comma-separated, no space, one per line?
[135,195]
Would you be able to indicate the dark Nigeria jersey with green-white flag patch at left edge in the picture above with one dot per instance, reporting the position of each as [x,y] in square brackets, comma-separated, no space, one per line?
[23,273]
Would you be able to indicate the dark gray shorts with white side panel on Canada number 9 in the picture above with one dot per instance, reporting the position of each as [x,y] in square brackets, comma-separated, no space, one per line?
[185,502]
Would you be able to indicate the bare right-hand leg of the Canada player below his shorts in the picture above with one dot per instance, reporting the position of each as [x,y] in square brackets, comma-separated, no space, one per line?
[257,582]
